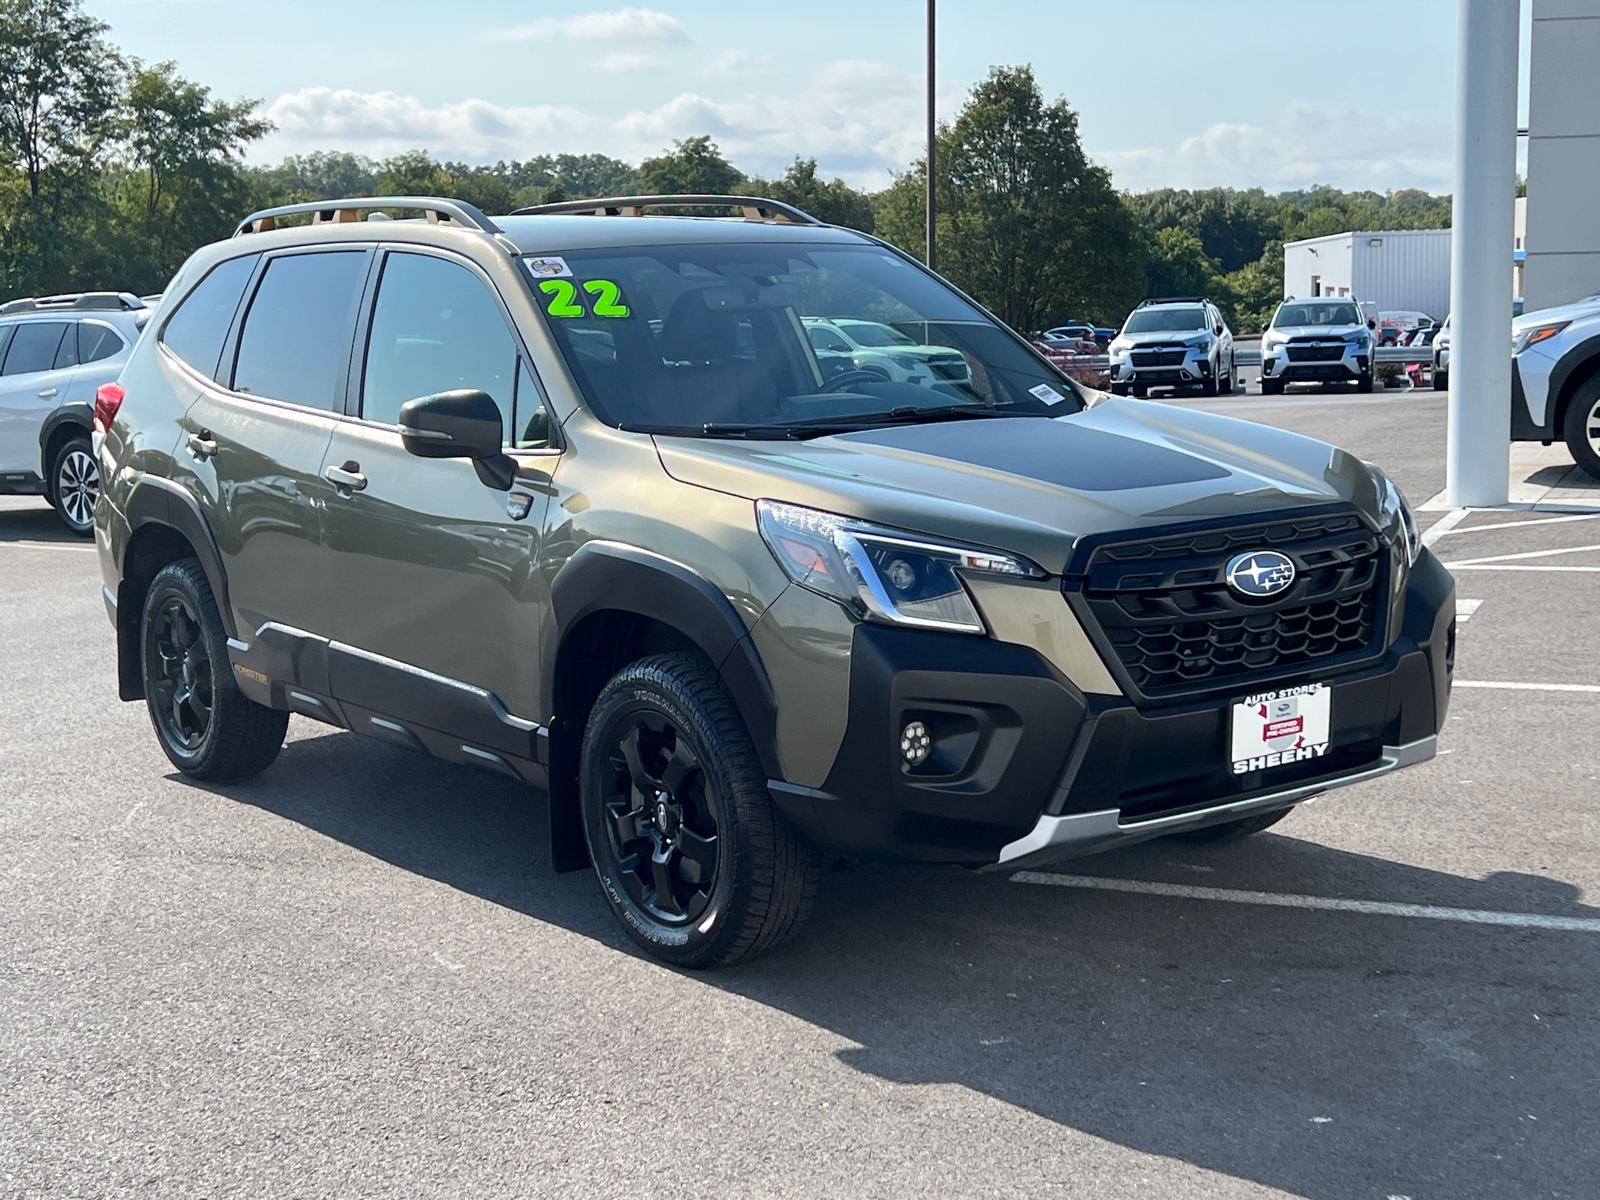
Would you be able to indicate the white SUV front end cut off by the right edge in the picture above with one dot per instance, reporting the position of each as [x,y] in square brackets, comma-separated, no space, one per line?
[1556,380]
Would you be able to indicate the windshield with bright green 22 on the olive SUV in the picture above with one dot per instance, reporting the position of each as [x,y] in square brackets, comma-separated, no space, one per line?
[722,340]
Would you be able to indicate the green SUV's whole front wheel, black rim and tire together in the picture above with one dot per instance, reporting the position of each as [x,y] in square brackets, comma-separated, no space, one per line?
[738,879]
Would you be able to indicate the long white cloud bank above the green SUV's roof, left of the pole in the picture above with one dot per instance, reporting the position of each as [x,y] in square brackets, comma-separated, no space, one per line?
[862,121]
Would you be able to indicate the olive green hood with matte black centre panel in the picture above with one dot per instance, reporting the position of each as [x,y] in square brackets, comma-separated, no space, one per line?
[1034,487]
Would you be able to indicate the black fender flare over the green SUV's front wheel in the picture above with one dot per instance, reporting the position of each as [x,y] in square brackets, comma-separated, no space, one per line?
[606,575]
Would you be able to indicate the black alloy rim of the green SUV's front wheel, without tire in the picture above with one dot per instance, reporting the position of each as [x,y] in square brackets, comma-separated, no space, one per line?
[660,818]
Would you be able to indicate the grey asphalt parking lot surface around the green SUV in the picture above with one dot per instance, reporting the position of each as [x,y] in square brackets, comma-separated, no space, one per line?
[358,975]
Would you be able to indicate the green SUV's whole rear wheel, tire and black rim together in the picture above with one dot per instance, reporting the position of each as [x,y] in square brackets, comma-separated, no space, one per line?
[209,729]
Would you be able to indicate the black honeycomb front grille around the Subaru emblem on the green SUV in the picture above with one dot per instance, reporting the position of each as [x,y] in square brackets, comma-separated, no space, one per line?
[1166,610]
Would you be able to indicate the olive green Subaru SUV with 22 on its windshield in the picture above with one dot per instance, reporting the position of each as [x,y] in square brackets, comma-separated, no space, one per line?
[572,497]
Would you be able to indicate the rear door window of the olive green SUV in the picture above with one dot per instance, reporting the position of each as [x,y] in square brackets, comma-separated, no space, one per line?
[295,332]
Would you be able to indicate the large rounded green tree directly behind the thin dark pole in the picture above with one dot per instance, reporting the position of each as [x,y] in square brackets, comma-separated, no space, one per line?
[1028,225]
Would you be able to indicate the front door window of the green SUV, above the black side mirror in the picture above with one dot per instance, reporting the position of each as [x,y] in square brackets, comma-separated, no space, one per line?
[436,329]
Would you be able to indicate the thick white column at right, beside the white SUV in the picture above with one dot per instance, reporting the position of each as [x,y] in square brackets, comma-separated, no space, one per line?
[1481,262]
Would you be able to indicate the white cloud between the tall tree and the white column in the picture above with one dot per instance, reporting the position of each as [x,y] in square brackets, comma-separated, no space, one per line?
[1298,148]
